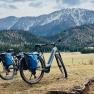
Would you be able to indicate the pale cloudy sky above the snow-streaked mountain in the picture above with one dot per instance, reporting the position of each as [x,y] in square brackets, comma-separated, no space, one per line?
[21,8]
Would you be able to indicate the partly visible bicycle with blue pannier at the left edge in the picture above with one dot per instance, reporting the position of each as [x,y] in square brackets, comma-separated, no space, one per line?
[8,71]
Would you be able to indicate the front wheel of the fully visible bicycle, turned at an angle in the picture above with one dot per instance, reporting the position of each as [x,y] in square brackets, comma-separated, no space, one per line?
[61,65]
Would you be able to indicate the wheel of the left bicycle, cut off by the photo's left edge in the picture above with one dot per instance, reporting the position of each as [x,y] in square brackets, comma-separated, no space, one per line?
[6,73]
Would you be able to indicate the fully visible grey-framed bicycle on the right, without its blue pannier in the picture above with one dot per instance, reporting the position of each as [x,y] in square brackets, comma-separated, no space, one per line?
[42,66]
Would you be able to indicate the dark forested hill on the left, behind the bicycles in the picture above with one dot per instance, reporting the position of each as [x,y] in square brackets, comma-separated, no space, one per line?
[19,39]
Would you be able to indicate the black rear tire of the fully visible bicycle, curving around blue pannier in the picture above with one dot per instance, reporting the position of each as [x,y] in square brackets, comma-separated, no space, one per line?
[29,81]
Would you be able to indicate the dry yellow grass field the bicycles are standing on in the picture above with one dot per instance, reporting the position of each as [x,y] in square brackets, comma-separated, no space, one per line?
[80,68]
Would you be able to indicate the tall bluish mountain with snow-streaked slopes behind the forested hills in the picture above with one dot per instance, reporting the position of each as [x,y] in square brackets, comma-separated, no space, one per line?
[50,24]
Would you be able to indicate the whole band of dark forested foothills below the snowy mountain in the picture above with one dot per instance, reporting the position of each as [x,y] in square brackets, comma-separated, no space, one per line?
[72,39]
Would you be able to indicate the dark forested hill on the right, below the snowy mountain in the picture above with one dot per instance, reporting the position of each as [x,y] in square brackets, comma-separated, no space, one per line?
[76,38]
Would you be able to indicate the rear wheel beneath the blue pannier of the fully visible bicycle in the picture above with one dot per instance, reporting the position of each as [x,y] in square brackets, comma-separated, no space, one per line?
[27,74]
